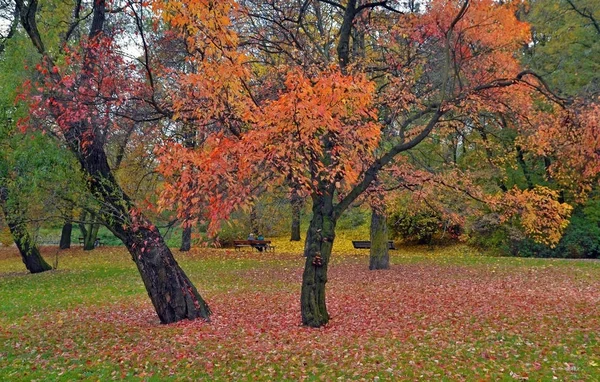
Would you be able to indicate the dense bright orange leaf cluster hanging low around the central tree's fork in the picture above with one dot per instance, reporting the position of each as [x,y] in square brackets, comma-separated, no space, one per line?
[318,130]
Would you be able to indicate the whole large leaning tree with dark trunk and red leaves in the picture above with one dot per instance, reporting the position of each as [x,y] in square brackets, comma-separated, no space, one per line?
[85,101]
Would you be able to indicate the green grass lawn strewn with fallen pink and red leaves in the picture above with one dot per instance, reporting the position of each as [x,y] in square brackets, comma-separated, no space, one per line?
[444,314]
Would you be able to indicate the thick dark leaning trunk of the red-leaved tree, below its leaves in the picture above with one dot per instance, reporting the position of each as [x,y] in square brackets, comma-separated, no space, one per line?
[172,293]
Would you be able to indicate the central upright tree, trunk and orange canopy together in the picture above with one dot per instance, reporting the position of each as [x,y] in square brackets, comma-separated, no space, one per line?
[300,112]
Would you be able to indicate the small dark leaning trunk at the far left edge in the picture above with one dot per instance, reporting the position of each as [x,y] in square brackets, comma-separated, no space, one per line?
[30,254]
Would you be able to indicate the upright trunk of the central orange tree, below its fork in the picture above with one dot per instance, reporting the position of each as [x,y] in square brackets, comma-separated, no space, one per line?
[319,242]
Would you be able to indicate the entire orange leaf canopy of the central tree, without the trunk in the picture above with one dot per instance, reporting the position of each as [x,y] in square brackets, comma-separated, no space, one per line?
[320,129]
